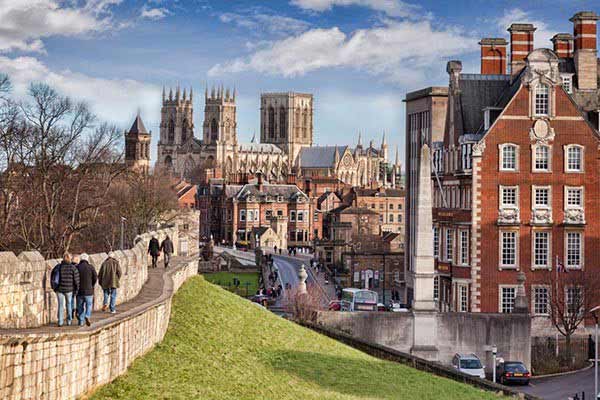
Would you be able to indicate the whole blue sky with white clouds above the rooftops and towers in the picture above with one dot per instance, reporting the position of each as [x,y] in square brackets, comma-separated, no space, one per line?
[358,57]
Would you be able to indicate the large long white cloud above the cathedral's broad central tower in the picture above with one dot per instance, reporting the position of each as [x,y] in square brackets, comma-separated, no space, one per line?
[399,51]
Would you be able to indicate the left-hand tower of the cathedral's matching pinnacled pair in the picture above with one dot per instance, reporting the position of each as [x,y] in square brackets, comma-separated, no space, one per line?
[176,126]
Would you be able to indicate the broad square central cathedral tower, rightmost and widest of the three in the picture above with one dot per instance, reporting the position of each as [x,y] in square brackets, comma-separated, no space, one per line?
[286,120]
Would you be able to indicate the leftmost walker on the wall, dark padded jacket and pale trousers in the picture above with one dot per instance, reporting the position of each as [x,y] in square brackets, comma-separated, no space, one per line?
[64,280]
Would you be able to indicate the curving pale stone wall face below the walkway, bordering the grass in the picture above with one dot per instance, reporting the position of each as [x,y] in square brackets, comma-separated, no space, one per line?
[66,365]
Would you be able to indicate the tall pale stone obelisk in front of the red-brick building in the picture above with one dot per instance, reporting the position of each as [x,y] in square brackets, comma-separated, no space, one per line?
[424,310]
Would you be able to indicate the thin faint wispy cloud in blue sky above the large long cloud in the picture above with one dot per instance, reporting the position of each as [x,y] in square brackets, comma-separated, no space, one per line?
[264,22]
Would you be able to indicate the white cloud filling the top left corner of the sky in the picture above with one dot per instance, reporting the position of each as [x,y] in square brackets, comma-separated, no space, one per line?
[25,22]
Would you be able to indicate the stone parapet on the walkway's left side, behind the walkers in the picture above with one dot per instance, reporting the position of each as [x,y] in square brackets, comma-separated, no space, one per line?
[27,299]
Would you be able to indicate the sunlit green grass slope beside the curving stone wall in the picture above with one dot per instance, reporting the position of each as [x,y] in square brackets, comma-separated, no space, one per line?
[220,346]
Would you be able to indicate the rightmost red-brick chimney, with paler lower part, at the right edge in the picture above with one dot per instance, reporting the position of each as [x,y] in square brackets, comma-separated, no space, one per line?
[586,66]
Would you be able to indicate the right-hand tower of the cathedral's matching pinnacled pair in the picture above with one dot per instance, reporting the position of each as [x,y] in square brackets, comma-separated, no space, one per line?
[220,117]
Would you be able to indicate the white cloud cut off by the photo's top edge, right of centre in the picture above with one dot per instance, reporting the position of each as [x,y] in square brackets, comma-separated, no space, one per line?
[393,8]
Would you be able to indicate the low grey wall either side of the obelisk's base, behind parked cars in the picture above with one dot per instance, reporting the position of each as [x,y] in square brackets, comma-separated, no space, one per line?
[456,332]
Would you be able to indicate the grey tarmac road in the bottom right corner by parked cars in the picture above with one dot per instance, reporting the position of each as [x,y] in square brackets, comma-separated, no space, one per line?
[562,387]
